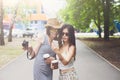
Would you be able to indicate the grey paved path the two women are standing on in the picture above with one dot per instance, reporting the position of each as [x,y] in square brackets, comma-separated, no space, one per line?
[89,66]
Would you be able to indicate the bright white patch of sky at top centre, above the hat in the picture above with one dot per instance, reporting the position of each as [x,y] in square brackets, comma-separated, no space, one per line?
[51,7]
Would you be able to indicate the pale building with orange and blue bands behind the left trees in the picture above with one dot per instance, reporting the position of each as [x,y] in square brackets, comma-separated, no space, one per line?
[32,10]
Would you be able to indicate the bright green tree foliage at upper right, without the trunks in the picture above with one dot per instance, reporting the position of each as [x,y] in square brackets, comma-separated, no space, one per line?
[81,12]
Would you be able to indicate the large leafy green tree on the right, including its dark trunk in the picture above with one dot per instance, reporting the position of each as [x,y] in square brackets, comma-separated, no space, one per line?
[80,13]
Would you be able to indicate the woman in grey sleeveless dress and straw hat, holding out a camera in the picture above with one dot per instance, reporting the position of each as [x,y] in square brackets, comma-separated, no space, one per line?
[42,70]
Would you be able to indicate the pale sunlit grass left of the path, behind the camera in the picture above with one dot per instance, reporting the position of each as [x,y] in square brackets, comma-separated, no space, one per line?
[11,50]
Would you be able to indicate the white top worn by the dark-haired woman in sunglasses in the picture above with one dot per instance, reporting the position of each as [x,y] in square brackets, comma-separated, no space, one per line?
[69,65]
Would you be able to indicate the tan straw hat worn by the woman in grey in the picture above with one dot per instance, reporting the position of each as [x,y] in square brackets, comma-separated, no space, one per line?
[53,22]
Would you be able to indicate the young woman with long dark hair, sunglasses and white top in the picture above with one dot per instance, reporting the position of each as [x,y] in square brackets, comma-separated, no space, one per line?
[66,53]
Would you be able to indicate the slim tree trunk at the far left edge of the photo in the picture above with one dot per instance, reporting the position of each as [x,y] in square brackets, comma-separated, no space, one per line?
[1,25]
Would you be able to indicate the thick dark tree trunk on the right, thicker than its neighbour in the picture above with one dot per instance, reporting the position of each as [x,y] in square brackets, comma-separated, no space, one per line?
[106,19]
